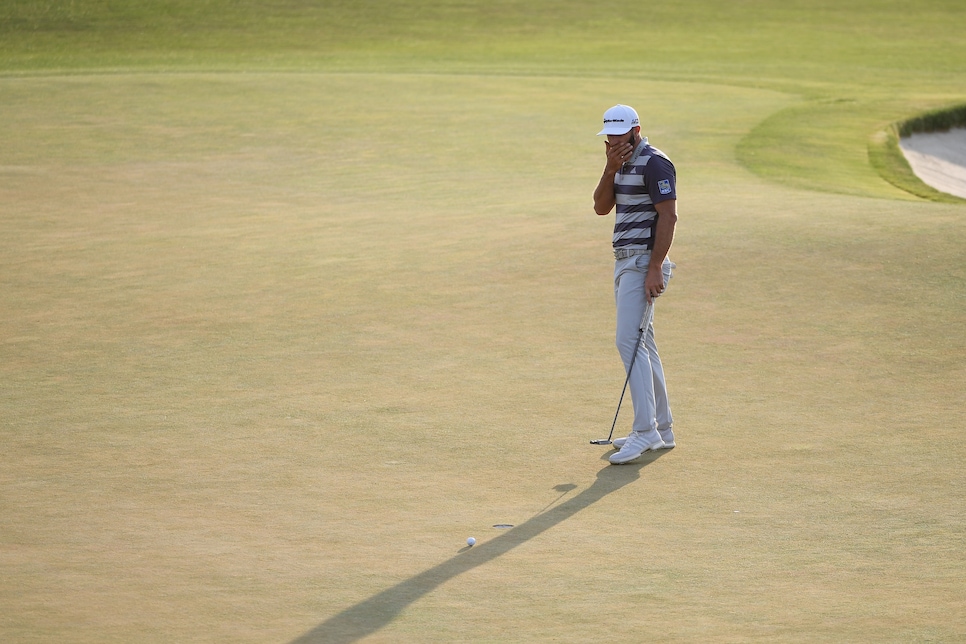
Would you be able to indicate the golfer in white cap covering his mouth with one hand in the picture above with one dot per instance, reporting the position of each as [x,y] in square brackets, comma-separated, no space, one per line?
[640,181]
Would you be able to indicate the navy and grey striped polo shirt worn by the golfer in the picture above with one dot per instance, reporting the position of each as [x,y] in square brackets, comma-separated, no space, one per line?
[648,178]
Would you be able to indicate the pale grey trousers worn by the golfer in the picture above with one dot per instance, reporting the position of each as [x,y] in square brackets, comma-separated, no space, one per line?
[648,389]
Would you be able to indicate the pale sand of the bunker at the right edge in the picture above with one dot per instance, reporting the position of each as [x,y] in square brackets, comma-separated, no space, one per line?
[939,159]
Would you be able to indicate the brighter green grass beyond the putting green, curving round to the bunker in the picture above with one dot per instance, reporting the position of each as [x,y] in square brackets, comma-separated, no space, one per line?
[858,67]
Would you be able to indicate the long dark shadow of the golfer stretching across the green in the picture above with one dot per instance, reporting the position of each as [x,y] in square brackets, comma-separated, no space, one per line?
[367,617]
